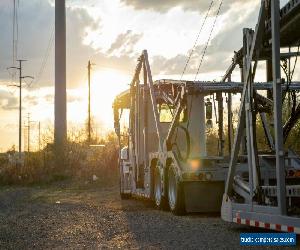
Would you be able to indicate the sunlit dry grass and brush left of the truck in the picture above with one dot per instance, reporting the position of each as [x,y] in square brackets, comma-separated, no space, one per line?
[81,163]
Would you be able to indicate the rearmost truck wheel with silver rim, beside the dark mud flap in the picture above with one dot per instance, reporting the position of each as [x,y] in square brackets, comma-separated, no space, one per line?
[175,194]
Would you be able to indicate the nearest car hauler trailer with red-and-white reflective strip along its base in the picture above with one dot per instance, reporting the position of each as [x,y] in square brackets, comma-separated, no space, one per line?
[247,199]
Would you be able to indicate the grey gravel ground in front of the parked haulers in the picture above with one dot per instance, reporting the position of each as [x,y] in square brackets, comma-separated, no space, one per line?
[60,217]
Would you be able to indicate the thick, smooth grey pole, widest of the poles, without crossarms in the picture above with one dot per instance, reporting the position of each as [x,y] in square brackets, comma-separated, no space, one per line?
[60,126]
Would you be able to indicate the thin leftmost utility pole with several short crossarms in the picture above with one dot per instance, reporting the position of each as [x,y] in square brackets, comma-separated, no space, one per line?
[20,102]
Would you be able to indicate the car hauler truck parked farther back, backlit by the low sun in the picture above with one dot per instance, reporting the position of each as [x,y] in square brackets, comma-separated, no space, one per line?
[164,154]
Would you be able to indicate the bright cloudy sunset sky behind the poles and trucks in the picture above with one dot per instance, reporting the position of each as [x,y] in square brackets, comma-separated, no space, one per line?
[112,34]
